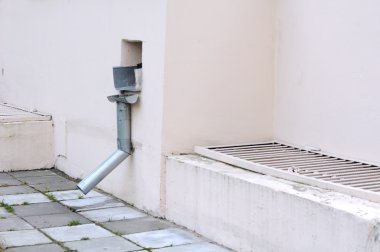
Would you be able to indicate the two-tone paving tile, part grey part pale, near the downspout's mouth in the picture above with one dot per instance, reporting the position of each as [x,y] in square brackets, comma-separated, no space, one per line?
[92,203]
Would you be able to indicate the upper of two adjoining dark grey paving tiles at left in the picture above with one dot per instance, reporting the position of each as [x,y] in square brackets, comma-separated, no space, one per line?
[40,209]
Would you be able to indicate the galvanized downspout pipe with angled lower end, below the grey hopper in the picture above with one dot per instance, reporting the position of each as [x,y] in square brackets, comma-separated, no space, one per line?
[124,145]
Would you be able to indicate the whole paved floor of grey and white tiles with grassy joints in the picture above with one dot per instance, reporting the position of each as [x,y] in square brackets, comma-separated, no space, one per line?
[42,211]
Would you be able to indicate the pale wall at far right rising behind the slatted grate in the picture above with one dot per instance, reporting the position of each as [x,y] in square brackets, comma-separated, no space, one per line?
[327,76]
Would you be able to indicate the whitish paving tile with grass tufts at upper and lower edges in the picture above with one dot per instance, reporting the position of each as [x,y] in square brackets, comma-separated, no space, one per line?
[75,233]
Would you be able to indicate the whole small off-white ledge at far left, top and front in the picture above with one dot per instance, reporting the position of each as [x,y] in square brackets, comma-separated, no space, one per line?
[26,139]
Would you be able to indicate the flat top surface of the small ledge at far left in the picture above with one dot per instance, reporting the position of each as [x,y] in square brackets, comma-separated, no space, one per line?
[9,113]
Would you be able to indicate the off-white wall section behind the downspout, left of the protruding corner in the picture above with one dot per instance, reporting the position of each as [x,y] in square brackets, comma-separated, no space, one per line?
[57,57]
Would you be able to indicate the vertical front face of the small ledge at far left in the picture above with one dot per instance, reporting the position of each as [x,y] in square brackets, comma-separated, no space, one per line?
[26,145]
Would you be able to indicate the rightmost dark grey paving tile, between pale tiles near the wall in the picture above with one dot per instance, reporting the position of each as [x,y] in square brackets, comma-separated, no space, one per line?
[137,225]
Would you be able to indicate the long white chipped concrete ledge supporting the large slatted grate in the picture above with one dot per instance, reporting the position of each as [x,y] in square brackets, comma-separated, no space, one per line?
[246,211]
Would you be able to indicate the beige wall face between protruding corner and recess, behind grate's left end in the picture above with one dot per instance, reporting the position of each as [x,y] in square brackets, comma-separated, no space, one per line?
[218,73]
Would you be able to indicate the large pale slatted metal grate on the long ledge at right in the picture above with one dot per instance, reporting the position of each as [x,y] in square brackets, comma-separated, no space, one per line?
[309,167]
